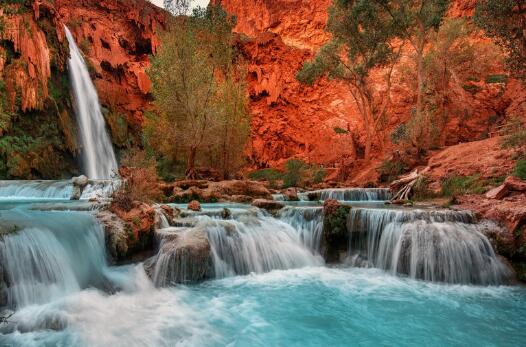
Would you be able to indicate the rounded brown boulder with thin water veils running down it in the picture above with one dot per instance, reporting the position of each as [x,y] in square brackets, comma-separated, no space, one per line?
[184,257]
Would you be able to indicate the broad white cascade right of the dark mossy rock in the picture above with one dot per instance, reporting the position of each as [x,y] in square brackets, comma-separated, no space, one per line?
[444,246]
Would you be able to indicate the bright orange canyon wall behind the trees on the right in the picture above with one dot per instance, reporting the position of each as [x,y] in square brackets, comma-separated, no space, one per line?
[293,120]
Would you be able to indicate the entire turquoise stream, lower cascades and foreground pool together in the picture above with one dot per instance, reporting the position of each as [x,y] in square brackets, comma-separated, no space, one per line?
[411,276]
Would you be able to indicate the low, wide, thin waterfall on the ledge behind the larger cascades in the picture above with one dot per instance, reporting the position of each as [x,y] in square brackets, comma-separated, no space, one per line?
[348,194]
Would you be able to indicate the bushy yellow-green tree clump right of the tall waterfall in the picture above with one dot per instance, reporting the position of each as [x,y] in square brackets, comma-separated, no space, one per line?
[199,97]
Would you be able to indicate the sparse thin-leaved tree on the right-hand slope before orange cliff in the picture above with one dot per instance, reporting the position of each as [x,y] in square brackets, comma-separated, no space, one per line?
[452,61]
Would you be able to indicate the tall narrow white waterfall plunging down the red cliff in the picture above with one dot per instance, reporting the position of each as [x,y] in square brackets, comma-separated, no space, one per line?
[97,151]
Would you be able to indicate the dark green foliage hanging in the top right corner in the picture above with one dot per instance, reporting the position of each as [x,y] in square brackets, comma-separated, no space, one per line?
[505,22]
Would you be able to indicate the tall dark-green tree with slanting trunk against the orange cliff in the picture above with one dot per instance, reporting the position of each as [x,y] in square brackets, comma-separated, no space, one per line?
[362,40]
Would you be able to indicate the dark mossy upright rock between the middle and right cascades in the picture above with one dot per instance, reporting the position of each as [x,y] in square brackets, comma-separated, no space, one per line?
[335,237]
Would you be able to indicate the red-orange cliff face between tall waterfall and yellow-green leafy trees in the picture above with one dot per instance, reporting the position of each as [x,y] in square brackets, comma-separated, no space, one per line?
[117,37]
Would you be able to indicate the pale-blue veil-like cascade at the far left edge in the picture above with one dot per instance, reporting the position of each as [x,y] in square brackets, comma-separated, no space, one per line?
[48,255]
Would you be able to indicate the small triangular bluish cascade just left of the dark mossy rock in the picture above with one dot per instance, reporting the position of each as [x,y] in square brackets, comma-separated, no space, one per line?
[308,223]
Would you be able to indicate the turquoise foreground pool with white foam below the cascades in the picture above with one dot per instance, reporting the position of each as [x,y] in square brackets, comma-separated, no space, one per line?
[303,307]
